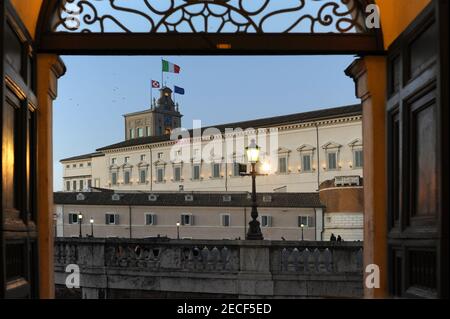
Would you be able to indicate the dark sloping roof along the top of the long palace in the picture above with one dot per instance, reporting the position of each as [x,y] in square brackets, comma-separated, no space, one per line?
[324,114]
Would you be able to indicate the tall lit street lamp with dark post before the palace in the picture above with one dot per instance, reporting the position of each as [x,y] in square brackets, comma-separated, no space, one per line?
[254,230]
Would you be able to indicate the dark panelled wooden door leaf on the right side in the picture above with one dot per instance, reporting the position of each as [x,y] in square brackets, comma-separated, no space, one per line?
[415,105]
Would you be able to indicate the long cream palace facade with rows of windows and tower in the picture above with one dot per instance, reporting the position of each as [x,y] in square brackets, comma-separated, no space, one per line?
[300,151]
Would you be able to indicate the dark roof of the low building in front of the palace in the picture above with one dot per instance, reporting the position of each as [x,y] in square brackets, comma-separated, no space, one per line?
[204,199]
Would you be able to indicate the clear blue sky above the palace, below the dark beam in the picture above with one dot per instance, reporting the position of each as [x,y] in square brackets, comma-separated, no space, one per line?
[97,91]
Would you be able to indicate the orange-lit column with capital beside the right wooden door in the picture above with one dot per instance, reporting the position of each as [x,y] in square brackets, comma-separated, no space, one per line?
[369,75]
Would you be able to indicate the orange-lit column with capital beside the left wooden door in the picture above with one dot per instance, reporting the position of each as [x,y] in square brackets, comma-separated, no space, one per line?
[49,68]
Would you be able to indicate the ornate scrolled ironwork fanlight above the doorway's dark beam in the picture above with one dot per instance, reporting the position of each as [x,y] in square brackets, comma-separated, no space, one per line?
[210,16]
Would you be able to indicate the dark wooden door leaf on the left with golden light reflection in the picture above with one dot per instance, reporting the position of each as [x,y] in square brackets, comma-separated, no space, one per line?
[18,232]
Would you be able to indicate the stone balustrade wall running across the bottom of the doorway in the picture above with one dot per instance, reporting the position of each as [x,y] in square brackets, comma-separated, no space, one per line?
[158,268]
